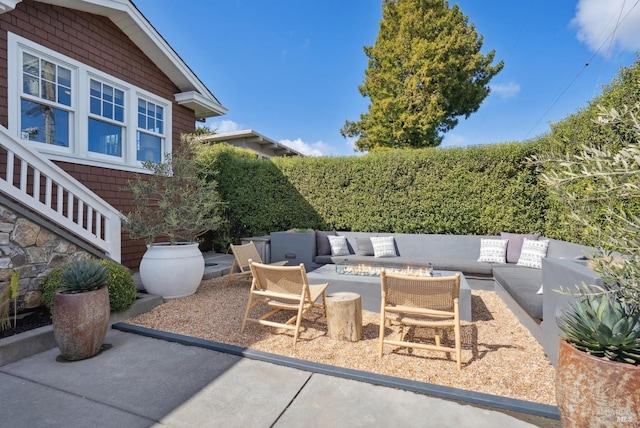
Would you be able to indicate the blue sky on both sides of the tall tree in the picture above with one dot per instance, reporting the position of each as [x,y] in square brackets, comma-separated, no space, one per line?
[290,69]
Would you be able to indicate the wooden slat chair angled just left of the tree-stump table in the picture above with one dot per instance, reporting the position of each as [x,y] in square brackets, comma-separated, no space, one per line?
[282,288]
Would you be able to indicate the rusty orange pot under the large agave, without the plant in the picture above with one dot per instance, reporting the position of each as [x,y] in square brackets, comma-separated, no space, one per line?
[595,392]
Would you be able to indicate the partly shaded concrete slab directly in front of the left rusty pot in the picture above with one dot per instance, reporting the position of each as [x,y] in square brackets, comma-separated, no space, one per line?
[142,376]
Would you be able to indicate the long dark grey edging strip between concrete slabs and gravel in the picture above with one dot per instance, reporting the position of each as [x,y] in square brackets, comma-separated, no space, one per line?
[449,393]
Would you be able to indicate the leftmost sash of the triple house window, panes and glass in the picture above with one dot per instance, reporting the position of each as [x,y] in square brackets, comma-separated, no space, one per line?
[45,101]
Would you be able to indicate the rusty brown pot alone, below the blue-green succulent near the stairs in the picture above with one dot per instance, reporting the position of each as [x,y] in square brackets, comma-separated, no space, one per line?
[80,323]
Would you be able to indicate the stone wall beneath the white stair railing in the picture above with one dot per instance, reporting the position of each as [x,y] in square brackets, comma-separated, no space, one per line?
[32,251]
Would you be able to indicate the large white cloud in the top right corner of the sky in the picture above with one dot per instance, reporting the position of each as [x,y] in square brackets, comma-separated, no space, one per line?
[596,22]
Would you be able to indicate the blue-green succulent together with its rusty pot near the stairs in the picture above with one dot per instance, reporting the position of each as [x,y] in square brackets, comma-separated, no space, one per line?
[81,310]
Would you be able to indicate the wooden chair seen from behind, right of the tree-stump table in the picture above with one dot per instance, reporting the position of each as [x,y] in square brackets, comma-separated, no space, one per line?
[421,302]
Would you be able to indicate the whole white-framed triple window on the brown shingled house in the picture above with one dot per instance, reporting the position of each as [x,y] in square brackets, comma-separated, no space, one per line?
[73,112]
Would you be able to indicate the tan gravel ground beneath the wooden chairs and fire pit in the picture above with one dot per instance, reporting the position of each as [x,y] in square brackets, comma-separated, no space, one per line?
[499,355]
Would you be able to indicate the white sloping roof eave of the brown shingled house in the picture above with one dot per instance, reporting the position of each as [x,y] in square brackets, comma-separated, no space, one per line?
[194,94]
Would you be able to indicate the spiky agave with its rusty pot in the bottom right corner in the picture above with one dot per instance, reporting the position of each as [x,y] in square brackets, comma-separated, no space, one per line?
[598,371]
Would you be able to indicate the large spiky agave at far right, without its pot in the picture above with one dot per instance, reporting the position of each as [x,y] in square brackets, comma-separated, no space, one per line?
[602,326]
